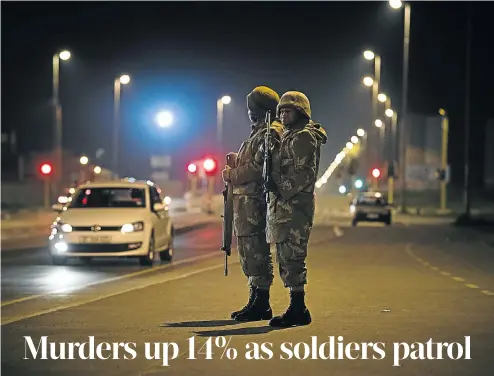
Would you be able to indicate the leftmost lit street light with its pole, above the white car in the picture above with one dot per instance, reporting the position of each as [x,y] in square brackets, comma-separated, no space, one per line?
[63,55]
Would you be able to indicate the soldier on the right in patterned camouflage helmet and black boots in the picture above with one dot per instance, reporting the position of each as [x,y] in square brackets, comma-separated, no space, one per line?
[291,205]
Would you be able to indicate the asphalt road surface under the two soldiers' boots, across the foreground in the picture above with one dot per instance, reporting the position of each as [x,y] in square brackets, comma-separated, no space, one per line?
[392,286]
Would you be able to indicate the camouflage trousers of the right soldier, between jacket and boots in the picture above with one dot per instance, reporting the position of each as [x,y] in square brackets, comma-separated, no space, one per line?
[291,257]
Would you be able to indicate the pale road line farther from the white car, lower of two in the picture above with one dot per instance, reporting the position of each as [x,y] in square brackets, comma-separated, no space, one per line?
[77,304]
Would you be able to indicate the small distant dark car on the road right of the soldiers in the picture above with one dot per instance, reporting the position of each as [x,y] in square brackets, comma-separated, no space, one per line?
[370,207]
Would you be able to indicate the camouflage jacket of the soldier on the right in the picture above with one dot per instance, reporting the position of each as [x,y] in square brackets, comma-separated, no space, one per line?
[295,167]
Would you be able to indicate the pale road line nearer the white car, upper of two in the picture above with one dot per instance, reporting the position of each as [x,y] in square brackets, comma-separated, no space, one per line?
[117,278]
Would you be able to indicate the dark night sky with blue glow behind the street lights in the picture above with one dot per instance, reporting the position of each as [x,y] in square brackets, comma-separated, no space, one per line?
[183,56]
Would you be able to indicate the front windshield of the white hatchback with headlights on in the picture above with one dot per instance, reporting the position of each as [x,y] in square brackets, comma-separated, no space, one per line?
[109,198]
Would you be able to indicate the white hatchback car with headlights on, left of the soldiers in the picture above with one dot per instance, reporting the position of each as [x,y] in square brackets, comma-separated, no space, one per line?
[113,219]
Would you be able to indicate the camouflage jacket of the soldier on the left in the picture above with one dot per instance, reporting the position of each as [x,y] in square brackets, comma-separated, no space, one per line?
[249,204]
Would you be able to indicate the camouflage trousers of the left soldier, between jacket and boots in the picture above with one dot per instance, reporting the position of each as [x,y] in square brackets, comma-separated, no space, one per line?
[256,261]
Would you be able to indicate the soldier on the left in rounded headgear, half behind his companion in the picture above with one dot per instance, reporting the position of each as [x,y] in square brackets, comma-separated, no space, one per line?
[249,202]
